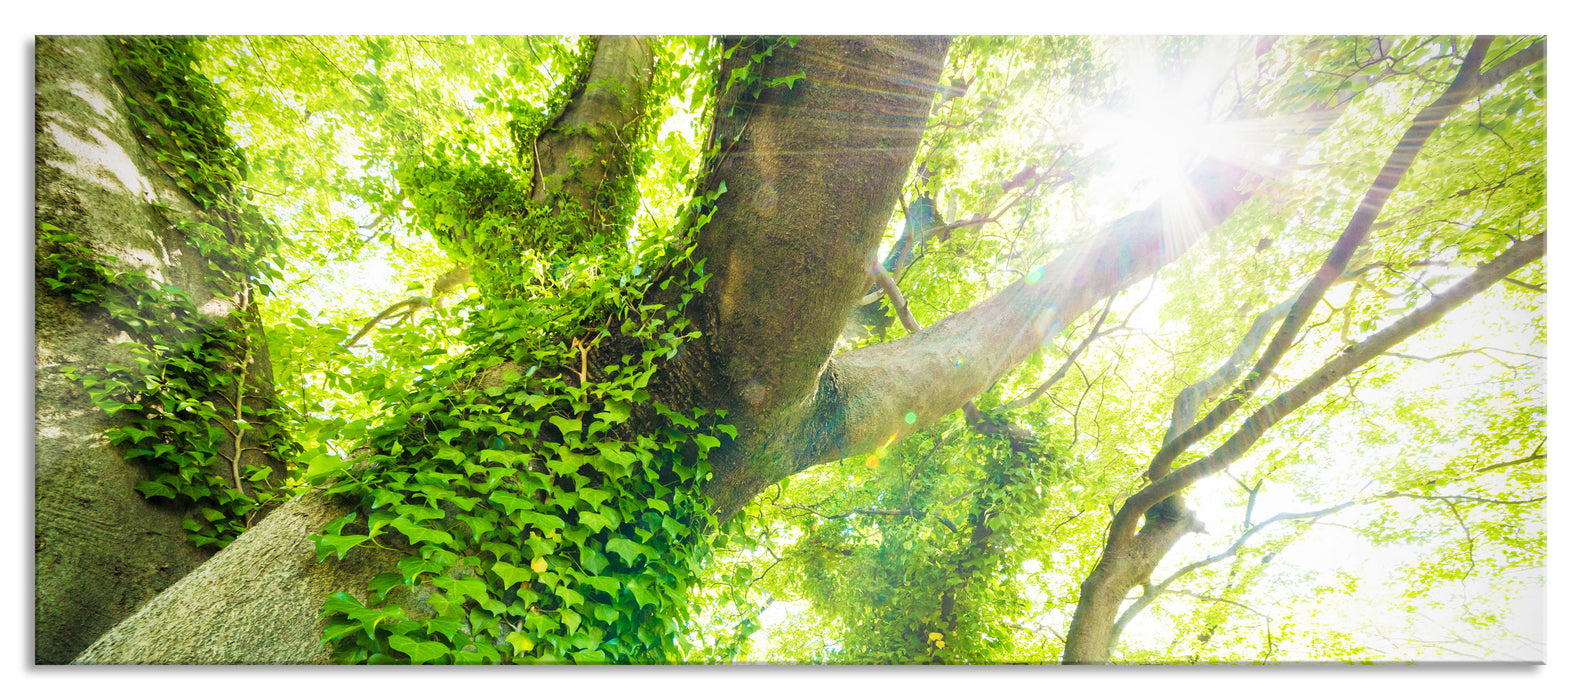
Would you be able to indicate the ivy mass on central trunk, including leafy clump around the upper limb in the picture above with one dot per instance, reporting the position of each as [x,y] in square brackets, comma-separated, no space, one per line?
[550,503]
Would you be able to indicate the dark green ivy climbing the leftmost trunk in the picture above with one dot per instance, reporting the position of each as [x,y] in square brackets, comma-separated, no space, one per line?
[191,401]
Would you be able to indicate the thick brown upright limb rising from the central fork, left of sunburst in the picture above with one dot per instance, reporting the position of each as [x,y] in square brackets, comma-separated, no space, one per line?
[811,175]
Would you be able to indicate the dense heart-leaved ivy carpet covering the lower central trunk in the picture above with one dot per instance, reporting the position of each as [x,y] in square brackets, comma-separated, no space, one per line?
[553,514]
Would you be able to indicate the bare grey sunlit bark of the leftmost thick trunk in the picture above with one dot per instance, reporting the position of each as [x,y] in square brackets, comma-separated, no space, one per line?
[100,549]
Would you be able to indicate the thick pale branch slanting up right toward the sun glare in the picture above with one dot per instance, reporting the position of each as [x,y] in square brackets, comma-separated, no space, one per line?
[866,395]
